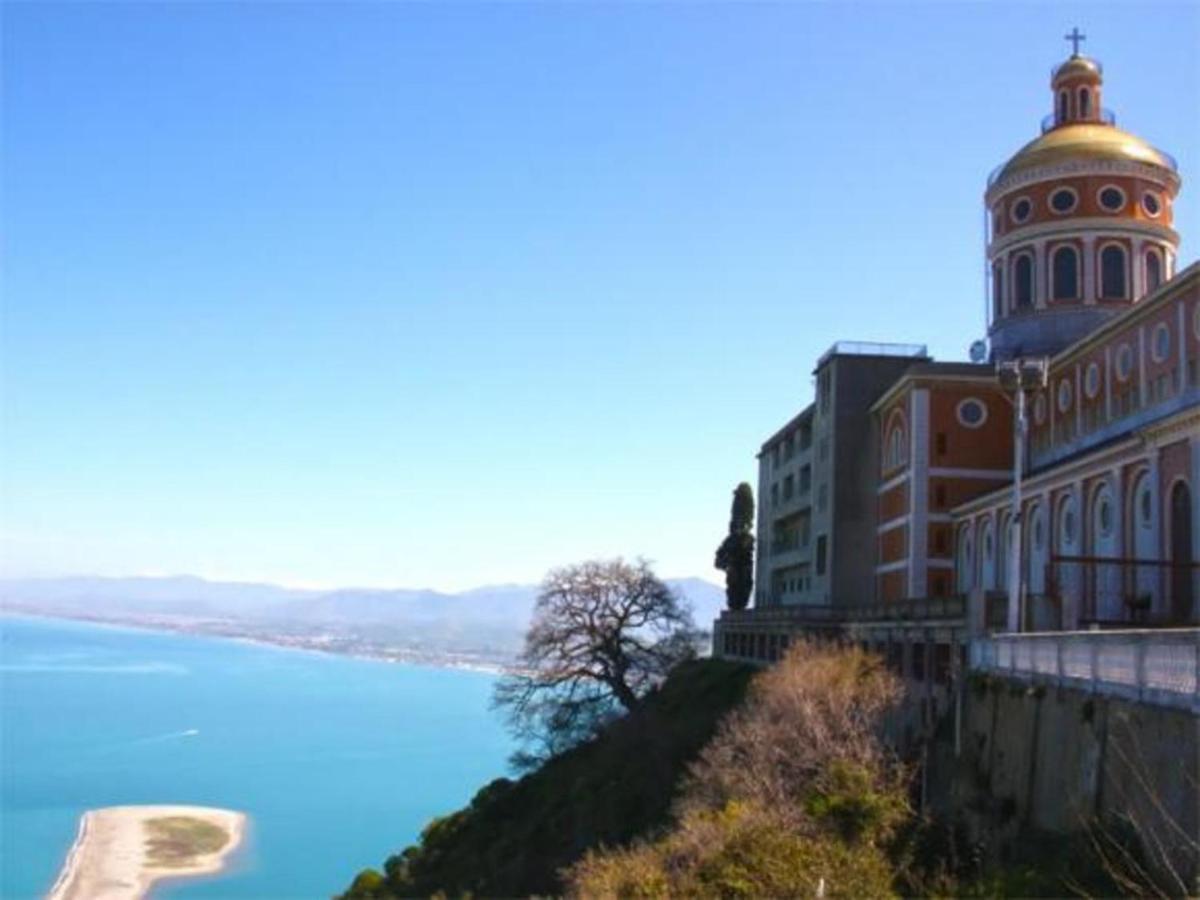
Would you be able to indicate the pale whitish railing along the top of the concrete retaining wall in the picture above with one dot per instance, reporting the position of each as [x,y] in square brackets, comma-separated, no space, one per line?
[1159,667]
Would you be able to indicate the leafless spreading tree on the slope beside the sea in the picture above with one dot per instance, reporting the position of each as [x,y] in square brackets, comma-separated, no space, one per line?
[604,633]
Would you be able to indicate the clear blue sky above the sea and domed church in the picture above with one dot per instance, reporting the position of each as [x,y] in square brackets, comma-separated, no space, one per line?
[448,295]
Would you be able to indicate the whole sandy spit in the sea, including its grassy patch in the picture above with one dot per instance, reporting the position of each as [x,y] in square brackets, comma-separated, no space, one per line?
[122,851]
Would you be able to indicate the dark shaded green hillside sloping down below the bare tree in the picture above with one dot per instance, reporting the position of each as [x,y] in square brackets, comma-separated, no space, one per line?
[517,836]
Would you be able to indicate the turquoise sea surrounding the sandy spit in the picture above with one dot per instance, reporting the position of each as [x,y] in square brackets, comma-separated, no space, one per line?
[338,761]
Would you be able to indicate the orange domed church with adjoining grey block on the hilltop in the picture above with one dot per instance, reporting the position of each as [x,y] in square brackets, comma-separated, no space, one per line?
[898,533]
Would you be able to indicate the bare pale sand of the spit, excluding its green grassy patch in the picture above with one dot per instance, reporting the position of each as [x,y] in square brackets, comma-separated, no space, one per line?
[110,860]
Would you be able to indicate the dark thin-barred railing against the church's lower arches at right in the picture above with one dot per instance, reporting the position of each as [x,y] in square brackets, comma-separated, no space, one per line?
[1121,592]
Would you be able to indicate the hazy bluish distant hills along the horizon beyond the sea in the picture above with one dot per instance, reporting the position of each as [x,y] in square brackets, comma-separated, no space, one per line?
[489,620]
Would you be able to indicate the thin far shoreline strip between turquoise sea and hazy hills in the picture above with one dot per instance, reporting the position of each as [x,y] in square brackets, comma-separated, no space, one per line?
[463,663]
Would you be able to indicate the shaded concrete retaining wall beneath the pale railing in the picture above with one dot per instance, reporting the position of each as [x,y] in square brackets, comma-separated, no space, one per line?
[1055,759]
